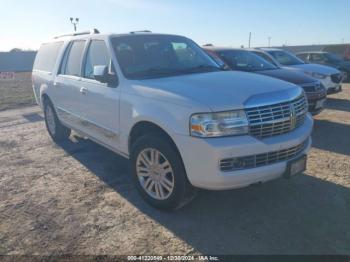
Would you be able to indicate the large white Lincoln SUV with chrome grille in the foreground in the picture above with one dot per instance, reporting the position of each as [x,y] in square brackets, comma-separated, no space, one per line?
[162,102]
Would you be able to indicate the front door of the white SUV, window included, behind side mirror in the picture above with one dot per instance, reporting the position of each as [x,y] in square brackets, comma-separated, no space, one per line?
[99,101]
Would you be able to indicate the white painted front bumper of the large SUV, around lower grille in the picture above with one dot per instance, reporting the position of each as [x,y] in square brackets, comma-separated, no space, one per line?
[201,157]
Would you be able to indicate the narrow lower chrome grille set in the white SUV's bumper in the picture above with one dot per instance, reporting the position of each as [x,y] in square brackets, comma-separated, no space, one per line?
[252,161]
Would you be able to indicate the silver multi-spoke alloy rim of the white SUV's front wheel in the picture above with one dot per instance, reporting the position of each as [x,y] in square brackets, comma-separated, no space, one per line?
[155,173]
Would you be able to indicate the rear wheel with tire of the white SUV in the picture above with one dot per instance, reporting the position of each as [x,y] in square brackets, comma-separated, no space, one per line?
[56,130]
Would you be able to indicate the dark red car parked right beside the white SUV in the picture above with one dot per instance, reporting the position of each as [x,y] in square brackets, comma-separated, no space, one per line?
[246,60]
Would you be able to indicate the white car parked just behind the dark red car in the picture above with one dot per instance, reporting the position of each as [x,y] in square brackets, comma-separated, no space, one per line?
[331,78]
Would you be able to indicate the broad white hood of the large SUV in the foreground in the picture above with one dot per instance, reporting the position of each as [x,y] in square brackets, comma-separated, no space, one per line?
[220,91]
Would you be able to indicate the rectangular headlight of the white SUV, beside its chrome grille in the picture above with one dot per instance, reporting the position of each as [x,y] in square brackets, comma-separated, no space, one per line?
[219,124]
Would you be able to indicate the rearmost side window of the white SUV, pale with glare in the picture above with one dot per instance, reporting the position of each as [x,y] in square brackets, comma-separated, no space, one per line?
[46,57]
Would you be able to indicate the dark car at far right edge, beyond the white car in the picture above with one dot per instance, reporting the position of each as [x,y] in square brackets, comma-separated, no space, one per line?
[328,59]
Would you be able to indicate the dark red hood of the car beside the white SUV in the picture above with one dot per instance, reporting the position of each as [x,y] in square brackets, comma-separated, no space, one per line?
[291,76]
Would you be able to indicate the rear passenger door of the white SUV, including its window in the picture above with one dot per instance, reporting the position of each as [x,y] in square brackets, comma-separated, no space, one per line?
[68,85]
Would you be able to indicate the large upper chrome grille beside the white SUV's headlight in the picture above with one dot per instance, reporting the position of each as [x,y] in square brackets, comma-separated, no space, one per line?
[272,120]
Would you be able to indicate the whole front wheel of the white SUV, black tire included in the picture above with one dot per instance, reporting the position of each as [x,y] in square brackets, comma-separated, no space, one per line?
[181,193]
